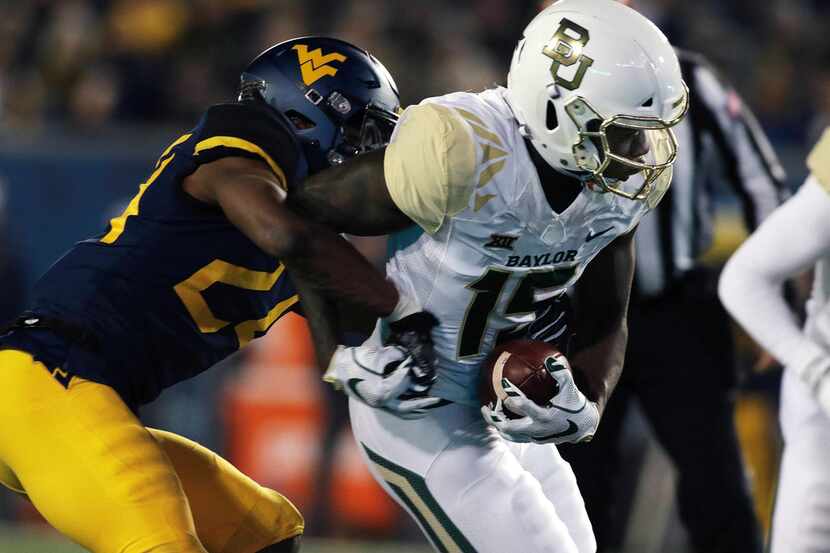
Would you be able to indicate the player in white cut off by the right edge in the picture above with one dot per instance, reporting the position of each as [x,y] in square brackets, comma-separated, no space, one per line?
[793,239]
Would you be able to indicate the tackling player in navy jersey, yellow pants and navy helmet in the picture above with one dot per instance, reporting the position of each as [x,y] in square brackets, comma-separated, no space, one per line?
[190,272]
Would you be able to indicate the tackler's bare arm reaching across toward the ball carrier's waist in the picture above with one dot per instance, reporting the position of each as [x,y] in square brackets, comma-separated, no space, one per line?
[252,199]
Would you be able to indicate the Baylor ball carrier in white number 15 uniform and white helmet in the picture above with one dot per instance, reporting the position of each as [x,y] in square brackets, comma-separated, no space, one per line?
[516,190]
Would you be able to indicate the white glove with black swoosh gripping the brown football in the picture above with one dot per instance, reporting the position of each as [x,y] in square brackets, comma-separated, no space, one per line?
[568,418]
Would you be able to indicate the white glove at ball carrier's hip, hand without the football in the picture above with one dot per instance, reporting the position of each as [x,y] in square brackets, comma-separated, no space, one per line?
[379,376]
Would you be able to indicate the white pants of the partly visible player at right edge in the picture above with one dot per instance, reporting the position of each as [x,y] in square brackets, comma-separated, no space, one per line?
[801,521]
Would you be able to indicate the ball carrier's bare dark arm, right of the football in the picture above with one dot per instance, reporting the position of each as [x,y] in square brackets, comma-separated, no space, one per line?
[602,328]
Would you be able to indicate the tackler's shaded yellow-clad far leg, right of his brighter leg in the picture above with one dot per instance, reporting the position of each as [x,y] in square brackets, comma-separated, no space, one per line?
[233,514]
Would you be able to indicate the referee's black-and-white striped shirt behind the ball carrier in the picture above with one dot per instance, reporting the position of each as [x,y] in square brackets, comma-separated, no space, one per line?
[719,140]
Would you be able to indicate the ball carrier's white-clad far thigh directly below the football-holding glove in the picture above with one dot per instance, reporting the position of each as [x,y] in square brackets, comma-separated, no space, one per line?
[559,485]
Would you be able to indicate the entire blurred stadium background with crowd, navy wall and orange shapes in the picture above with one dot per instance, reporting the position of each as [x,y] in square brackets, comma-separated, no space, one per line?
[91,90]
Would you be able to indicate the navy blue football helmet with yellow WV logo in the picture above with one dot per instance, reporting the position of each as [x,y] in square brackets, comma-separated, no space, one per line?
[339,99]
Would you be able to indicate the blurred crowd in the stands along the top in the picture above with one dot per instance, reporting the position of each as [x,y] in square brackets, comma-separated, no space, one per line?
[83,65]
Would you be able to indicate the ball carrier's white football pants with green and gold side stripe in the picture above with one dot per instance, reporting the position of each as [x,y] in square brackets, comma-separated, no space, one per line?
[469,489]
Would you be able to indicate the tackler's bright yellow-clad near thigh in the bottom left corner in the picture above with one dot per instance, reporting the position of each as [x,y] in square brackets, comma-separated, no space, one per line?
[88,464]
